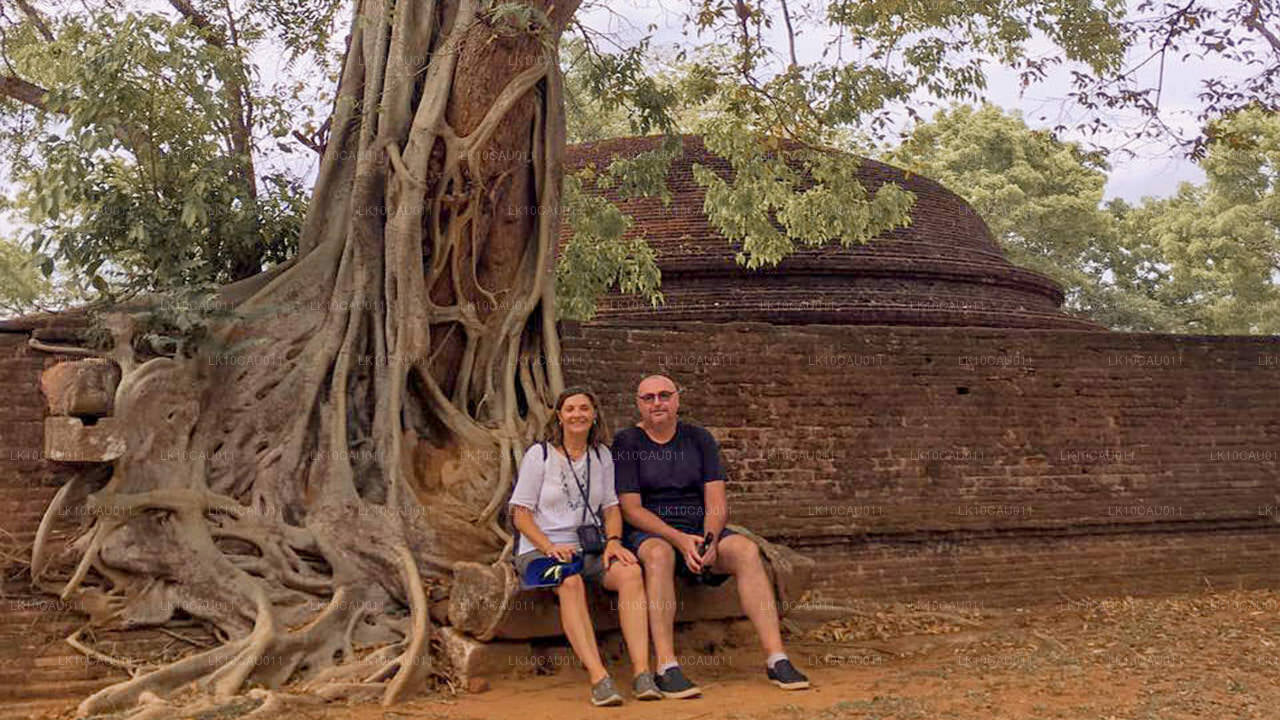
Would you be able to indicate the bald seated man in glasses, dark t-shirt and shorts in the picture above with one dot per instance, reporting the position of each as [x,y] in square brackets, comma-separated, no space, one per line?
[673,493]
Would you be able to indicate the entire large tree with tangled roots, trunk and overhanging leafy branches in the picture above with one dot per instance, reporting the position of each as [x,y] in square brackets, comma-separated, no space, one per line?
[310,475]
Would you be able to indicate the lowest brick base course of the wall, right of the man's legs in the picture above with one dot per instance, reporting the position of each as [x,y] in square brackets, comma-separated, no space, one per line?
[1012,568]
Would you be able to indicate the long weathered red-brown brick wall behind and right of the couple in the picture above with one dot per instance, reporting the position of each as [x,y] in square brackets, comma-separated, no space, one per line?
[980,466]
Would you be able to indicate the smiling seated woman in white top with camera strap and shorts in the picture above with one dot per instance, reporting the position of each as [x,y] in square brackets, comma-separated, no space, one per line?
[565,484]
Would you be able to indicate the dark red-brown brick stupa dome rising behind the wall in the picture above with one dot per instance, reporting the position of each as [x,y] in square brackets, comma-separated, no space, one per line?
[943,270]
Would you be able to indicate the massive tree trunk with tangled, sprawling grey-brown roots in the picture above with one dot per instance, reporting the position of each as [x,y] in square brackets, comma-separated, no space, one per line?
[308,482]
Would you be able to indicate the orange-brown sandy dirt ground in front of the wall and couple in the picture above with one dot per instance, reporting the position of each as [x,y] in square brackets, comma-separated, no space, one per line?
[1209,657]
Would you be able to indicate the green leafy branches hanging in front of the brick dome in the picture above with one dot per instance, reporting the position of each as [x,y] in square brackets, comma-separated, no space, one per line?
[746,98]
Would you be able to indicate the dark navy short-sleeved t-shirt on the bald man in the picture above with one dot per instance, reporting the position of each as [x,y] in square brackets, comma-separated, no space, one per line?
[669,476]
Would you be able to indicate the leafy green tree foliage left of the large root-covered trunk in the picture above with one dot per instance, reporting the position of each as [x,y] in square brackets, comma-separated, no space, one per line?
[136,152]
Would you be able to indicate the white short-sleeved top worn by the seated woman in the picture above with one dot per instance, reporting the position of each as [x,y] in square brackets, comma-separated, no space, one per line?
[547,487]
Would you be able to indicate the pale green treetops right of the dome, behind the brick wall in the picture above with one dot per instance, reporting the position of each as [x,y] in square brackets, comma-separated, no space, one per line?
[1204,261]
